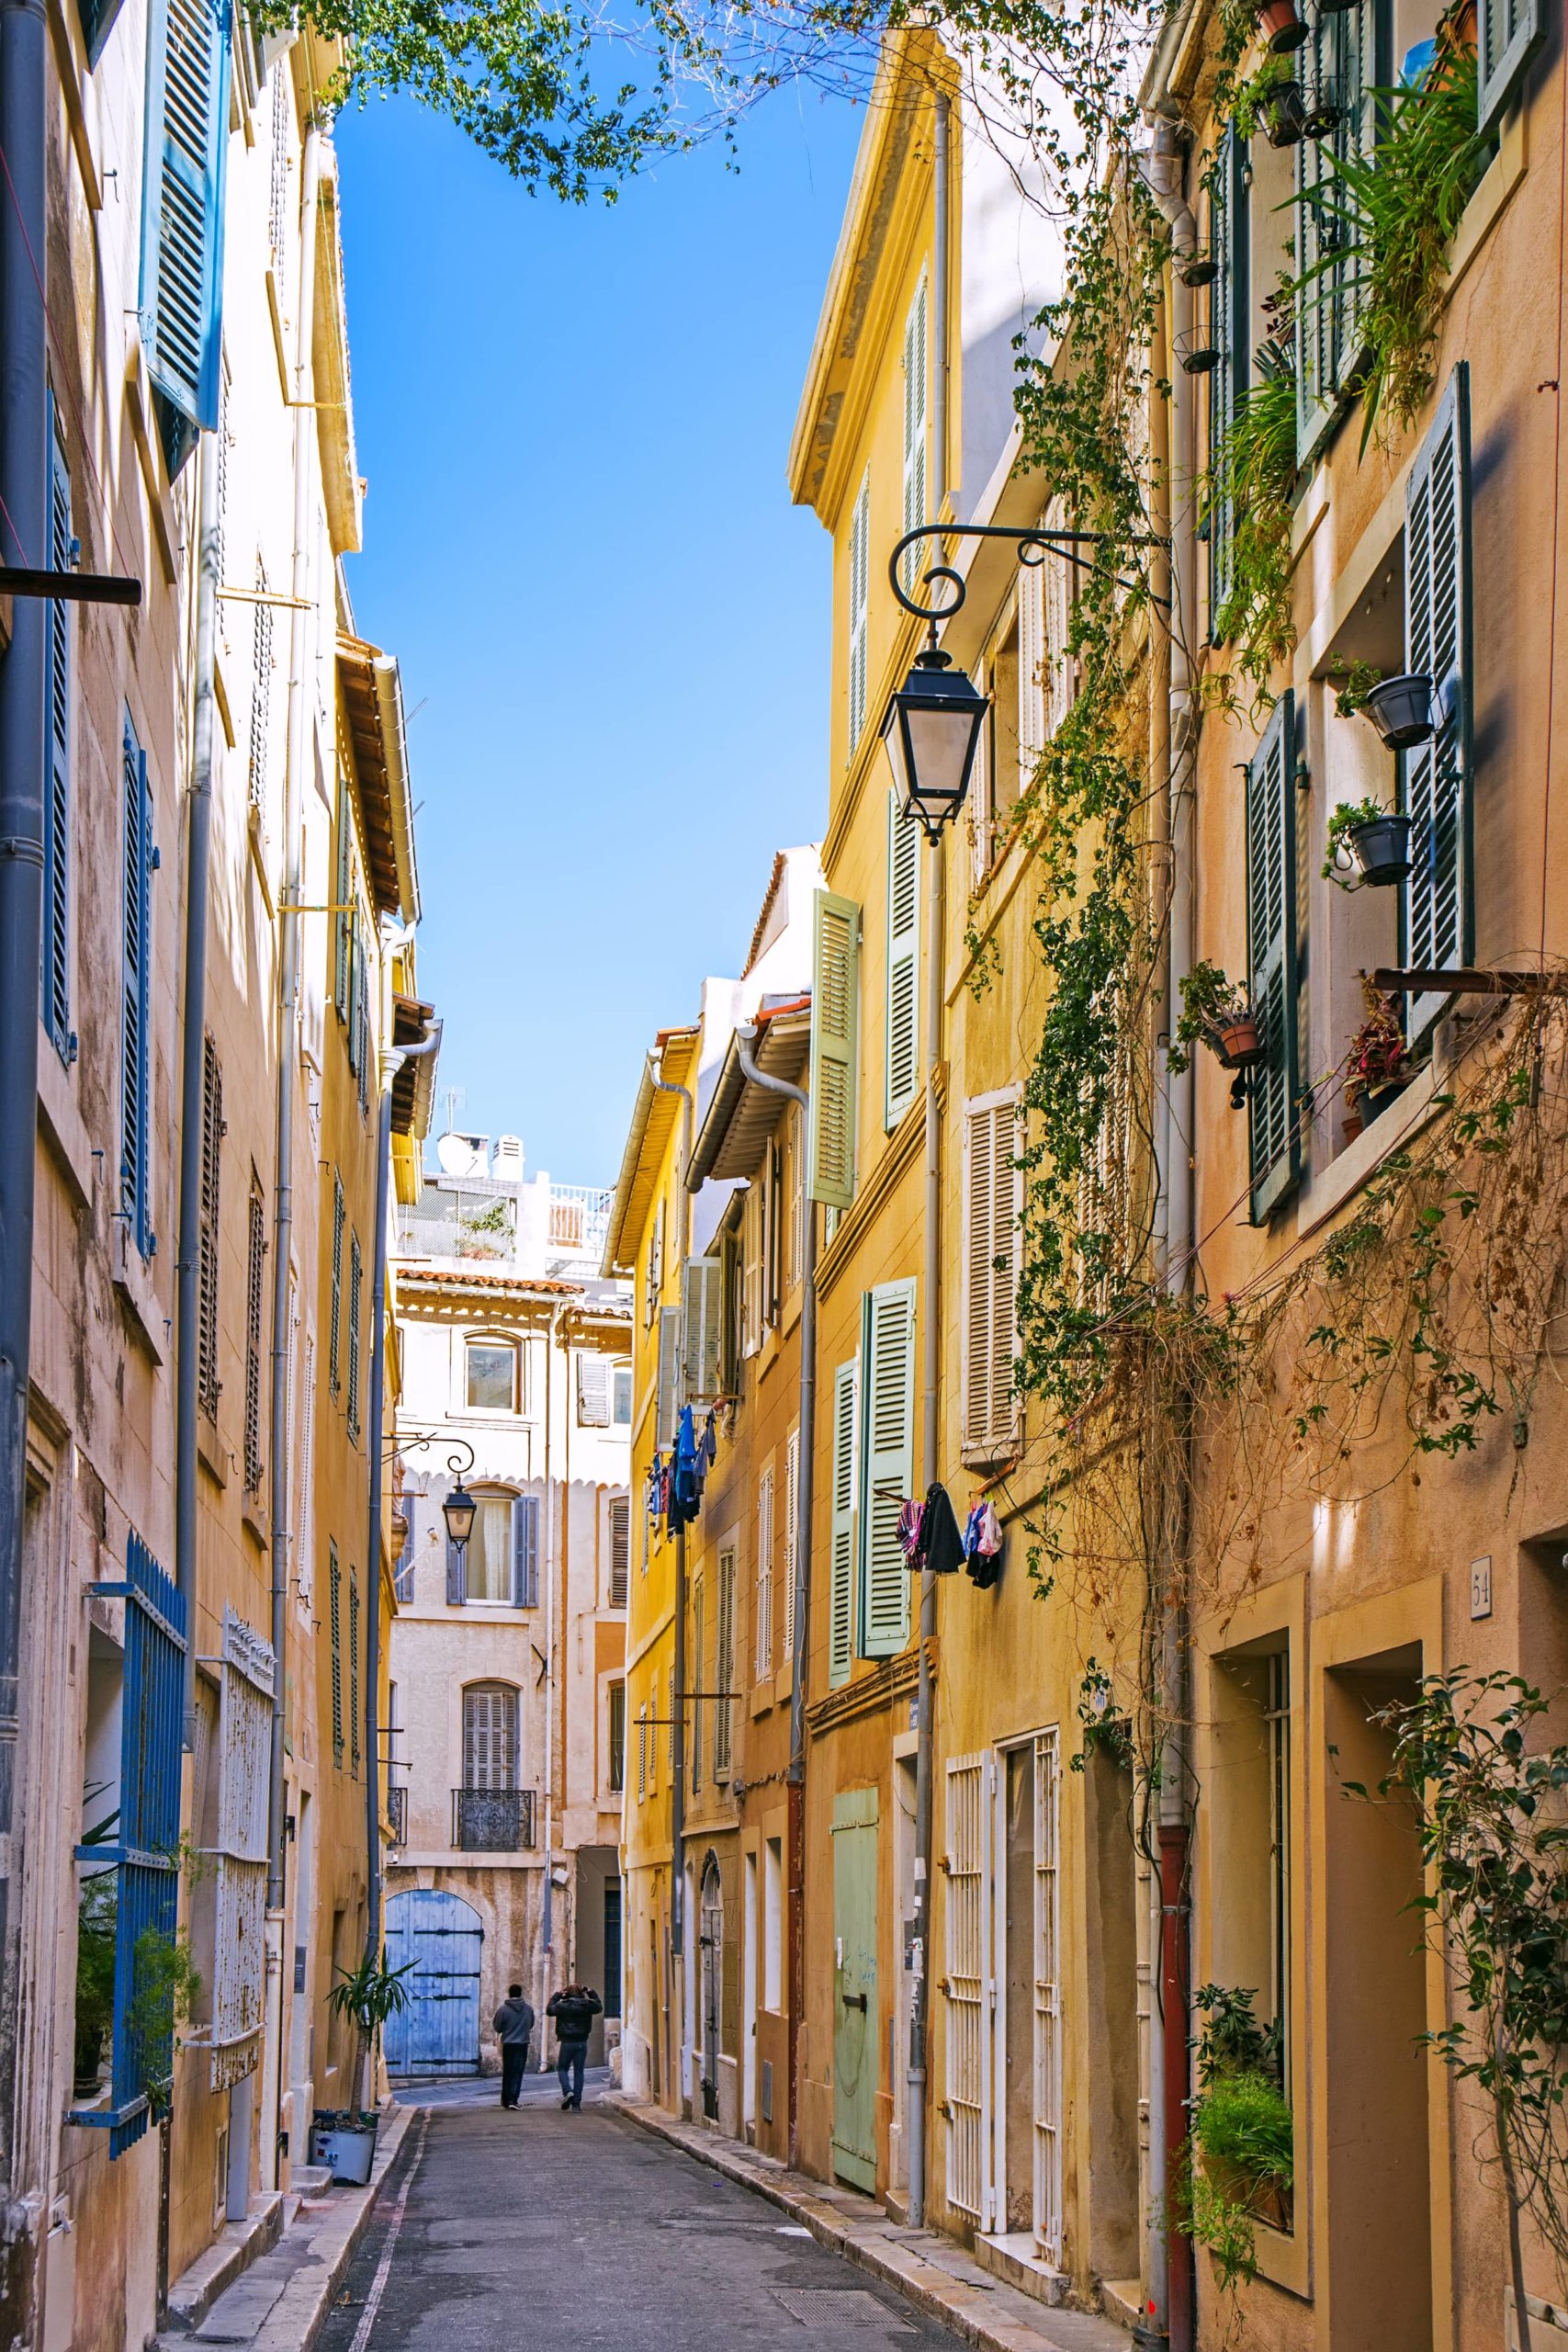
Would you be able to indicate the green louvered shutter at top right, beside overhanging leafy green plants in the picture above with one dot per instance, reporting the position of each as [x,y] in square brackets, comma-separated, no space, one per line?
[1327,314]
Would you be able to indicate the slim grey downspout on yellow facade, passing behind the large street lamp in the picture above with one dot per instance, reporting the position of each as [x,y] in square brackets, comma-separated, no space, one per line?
[918,1927]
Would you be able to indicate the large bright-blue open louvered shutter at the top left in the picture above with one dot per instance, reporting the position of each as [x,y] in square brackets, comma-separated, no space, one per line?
[182,222]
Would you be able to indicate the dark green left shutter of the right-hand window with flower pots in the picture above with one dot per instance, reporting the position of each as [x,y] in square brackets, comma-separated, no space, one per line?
[1271,930]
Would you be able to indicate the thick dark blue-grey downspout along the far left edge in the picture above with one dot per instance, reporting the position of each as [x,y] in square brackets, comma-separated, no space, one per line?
[25,476]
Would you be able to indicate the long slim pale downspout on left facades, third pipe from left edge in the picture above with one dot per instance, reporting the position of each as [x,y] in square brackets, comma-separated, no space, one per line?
[288,1081]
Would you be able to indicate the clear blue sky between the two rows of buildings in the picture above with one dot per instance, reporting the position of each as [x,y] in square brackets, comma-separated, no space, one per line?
[579,542]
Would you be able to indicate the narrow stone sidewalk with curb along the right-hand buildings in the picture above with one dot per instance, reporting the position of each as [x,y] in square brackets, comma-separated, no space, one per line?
[927,2269]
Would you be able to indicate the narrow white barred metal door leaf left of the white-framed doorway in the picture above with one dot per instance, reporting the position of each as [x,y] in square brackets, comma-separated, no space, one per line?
[970,1984]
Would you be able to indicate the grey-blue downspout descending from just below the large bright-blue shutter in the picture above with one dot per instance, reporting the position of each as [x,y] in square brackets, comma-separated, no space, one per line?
[194,1053]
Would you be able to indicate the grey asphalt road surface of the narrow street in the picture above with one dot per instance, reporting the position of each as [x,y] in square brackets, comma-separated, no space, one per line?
[535,2229]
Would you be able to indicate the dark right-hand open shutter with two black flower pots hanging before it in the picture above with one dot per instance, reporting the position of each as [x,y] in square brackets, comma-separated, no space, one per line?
[1435,777]
